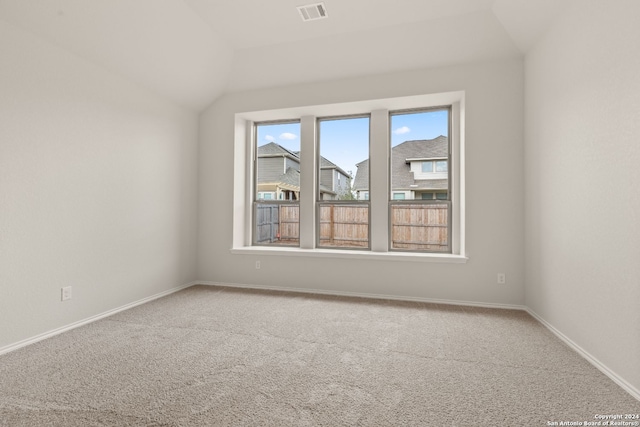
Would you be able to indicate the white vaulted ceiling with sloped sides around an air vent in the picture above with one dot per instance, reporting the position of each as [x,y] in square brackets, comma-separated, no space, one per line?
[192,51]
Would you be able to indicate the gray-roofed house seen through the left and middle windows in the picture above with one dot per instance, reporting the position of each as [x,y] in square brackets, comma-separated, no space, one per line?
[279,175]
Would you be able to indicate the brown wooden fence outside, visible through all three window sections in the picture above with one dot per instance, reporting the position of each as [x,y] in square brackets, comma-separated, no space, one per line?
[421,227]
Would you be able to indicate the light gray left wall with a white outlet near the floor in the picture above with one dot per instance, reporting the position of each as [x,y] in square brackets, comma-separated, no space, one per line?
[97,189]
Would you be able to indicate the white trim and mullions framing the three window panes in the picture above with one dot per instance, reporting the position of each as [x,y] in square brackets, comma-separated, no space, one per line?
[244,154]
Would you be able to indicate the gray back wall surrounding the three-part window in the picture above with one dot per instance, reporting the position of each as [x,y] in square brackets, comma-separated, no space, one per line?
[495,228]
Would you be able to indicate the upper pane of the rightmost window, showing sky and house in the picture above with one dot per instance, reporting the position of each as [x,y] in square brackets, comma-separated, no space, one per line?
[418,140]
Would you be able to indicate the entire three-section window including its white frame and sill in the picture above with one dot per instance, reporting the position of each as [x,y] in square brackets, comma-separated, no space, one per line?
[420,215]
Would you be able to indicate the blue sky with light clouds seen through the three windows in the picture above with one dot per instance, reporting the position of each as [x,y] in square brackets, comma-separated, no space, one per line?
[345,142]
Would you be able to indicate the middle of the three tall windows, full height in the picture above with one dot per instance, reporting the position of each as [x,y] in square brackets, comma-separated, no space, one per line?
[343,212]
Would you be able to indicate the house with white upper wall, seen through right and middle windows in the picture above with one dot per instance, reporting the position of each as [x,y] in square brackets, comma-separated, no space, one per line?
[419,170]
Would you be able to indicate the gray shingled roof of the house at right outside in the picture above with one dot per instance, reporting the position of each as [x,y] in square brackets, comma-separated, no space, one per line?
[402,177]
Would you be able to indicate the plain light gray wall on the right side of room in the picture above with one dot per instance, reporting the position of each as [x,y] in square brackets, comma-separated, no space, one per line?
[582,156]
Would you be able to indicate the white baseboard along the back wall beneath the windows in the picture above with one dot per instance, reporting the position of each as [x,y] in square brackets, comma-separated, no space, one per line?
[368,295]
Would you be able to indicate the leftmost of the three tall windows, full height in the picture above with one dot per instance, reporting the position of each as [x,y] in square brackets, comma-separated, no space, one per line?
[277,184]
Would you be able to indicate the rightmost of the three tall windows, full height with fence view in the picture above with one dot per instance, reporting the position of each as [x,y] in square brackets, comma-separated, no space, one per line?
[420,209]
